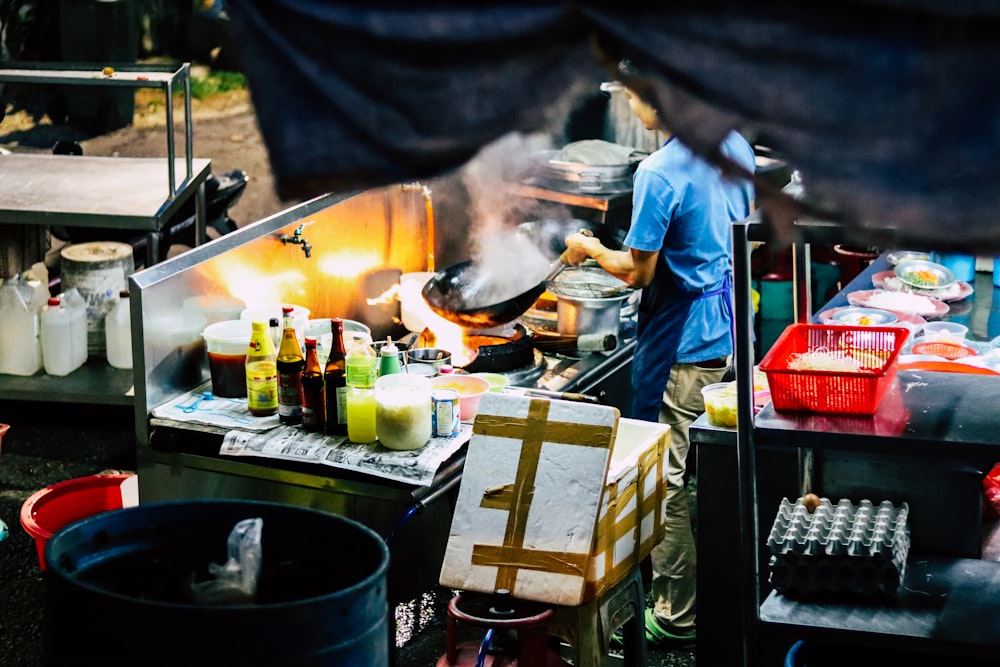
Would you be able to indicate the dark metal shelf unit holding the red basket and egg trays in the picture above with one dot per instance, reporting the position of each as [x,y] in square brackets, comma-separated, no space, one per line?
[941,607]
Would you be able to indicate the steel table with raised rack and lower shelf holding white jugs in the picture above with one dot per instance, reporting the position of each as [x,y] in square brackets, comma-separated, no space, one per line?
[103,192]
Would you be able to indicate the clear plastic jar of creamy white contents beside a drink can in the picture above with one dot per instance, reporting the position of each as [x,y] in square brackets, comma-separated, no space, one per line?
[403,411]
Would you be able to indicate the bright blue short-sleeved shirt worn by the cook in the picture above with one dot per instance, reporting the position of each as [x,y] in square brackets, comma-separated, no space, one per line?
[683,207]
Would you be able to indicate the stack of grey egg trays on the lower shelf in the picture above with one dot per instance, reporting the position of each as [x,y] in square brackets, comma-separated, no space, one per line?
[839,547]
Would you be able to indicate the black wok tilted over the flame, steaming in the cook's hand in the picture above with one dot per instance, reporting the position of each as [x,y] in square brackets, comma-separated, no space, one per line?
[457,295]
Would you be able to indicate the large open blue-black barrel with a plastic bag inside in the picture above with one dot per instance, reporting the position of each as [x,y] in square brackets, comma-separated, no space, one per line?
[116,589]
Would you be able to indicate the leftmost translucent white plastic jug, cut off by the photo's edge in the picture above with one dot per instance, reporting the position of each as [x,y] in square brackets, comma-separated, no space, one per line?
[20,345]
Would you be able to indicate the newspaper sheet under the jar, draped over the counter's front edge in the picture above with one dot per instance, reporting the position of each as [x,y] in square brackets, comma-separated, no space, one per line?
[291,443]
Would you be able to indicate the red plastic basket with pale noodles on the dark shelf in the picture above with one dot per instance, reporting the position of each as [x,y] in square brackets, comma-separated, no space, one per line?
[839,392]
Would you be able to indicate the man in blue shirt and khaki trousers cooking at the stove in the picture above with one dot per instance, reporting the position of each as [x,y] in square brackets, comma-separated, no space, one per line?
[678,250]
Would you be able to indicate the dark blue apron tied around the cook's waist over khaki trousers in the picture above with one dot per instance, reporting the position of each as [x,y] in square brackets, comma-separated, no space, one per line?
[661,323]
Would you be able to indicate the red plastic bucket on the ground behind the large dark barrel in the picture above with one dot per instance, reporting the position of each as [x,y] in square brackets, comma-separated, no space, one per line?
[47,511]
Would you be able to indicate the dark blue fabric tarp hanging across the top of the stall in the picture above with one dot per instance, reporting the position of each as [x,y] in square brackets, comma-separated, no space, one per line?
[889,108]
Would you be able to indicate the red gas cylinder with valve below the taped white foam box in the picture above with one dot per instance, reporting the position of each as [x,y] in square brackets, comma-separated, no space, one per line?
[500,611]
